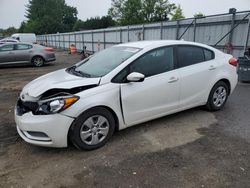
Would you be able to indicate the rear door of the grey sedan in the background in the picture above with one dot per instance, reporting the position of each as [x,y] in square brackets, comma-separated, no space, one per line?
[23,52]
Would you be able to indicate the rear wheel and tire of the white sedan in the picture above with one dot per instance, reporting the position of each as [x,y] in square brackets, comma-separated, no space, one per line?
[218,96]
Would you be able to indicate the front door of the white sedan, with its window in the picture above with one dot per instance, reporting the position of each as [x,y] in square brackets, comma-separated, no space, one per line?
[158,94]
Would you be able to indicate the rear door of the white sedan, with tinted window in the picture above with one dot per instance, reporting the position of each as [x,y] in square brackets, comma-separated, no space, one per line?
[197,67]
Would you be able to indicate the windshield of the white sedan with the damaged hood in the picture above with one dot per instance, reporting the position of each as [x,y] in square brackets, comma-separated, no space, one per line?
[105,61]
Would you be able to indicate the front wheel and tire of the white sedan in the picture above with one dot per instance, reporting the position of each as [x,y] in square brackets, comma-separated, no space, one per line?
[92,129]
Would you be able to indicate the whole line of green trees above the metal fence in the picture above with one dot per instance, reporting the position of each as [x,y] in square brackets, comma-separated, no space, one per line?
[53,16]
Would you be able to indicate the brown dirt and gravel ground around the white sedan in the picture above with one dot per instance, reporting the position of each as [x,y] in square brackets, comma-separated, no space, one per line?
[194,148]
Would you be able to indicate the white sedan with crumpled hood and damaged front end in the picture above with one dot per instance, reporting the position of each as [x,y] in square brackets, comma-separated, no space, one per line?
[120,87]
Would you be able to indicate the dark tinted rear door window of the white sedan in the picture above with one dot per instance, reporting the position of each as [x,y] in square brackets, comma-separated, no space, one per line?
[189,55]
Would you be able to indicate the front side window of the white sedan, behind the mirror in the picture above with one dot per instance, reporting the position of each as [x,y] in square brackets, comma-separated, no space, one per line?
[155,62]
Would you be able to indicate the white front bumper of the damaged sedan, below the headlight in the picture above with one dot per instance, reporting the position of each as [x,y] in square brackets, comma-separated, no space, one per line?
[44,130]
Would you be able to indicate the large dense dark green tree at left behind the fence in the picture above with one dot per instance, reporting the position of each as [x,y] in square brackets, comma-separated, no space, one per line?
[49,16]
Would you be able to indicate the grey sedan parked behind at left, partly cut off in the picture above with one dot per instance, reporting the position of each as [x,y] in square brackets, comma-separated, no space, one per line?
[20,53]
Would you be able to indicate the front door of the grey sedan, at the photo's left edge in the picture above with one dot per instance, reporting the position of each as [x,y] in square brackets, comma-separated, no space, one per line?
[7,53]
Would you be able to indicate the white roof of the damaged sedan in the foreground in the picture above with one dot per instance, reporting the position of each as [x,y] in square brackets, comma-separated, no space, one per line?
[155,43]
